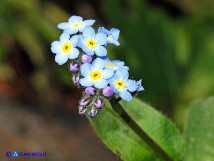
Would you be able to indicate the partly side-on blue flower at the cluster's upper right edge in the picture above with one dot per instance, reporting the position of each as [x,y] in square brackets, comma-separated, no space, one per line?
[112,35]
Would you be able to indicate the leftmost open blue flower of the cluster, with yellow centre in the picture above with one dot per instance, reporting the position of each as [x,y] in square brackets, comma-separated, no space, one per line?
[65,48]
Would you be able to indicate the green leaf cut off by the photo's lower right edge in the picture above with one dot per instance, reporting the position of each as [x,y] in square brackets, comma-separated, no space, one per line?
[199,131]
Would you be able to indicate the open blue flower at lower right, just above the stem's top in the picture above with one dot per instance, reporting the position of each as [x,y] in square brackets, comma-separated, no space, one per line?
[122,85]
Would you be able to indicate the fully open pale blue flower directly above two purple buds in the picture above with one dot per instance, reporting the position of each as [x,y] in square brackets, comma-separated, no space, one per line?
[95,74]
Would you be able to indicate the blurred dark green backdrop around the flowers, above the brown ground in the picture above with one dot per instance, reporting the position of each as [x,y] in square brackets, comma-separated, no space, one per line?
[169,44]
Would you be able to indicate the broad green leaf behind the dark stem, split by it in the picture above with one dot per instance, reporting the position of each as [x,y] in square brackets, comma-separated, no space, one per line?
[122,140]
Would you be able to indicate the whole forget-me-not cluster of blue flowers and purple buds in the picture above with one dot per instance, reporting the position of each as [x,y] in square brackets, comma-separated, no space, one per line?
[90,66]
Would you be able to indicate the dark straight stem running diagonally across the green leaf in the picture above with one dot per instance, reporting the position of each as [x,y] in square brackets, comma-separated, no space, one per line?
[139,131]
